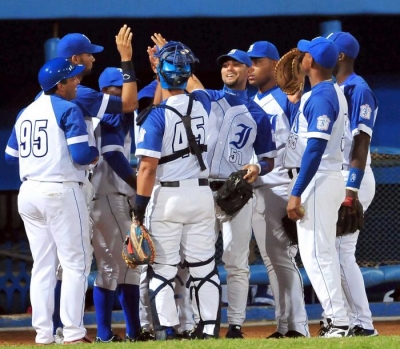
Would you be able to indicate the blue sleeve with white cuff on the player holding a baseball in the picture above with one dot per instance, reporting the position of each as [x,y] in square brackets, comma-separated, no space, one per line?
[321,115]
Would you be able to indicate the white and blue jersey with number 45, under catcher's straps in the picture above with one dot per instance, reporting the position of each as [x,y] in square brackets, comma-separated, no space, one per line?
[163,134]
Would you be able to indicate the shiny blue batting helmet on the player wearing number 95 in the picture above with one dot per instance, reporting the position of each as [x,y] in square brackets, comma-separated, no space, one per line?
[56,70]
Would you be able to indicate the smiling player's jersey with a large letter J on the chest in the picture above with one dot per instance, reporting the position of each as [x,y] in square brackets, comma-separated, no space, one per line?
[238,129]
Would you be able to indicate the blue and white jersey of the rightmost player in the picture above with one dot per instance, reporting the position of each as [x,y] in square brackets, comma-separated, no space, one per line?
[363,109]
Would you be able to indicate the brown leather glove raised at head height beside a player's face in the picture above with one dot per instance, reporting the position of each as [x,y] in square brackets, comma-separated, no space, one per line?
[288,75]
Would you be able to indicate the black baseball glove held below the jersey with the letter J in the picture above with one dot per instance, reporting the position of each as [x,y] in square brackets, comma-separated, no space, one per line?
[234,193]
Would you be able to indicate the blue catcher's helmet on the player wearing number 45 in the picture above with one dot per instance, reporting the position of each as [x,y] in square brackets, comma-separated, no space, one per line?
[175,66]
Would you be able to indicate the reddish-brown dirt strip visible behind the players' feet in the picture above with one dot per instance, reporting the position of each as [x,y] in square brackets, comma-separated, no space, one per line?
[27,336]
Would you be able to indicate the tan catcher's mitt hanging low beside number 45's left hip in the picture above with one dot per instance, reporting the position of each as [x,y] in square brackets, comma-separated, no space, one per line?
[138,247]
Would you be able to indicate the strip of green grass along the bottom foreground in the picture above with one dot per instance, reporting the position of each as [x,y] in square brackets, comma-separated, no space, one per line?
[381,342]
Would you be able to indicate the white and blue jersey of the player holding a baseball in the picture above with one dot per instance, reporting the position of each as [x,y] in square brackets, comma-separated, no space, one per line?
[322,114]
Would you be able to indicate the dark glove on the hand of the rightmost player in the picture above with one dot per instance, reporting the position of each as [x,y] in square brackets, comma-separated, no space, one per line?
[350,217]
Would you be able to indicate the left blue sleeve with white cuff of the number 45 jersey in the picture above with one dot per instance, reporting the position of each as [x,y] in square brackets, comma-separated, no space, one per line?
[151,133]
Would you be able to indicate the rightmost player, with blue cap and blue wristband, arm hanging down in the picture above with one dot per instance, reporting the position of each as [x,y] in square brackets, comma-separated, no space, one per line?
[360,181]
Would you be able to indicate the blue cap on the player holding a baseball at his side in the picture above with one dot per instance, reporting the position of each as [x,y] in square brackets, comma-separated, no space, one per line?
[324,51]
